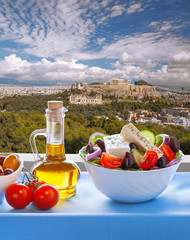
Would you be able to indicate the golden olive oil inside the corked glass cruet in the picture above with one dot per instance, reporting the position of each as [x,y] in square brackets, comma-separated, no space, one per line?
[57,171]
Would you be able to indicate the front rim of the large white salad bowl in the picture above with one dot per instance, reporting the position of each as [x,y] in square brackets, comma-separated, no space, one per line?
[131,171]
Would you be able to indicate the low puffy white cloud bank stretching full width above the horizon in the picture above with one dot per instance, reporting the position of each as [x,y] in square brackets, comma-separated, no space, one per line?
[71,71]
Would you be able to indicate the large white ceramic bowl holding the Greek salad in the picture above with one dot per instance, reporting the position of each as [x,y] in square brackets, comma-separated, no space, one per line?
[131,186]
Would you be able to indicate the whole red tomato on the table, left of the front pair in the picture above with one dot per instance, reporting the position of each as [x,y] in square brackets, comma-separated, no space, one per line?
[18,195]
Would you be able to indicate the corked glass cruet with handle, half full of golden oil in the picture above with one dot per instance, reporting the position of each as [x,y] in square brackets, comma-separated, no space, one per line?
[55,168]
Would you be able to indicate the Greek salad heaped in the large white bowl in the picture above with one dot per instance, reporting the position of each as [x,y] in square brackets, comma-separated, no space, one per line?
[145,152]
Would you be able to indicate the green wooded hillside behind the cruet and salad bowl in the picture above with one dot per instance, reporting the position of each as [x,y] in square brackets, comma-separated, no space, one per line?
[20,116]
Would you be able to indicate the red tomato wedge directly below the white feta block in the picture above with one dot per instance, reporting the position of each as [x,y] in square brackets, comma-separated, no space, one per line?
[110,161]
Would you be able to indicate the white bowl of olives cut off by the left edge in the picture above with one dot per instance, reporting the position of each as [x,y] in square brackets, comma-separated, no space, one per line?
[6,180]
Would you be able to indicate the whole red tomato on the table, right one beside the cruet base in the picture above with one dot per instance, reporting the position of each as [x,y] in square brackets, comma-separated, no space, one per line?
[45,197]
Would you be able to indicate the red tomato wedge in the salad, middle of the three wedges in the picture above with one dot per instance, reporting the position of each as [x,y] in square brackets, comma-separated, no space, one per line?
[149,160]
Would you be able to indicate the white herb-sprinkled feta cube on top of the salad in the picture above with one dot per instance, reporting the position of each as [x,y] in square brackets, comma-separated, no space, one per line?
[116,145]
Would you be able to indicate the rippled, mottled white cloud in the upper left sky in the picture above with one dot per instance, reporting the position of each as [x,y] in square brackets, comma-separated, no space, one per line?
[59,30]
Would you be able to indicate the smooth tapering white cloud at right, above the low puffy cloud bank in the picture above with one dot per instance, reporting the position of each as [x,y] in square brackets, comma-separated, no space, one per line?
[140,47]
